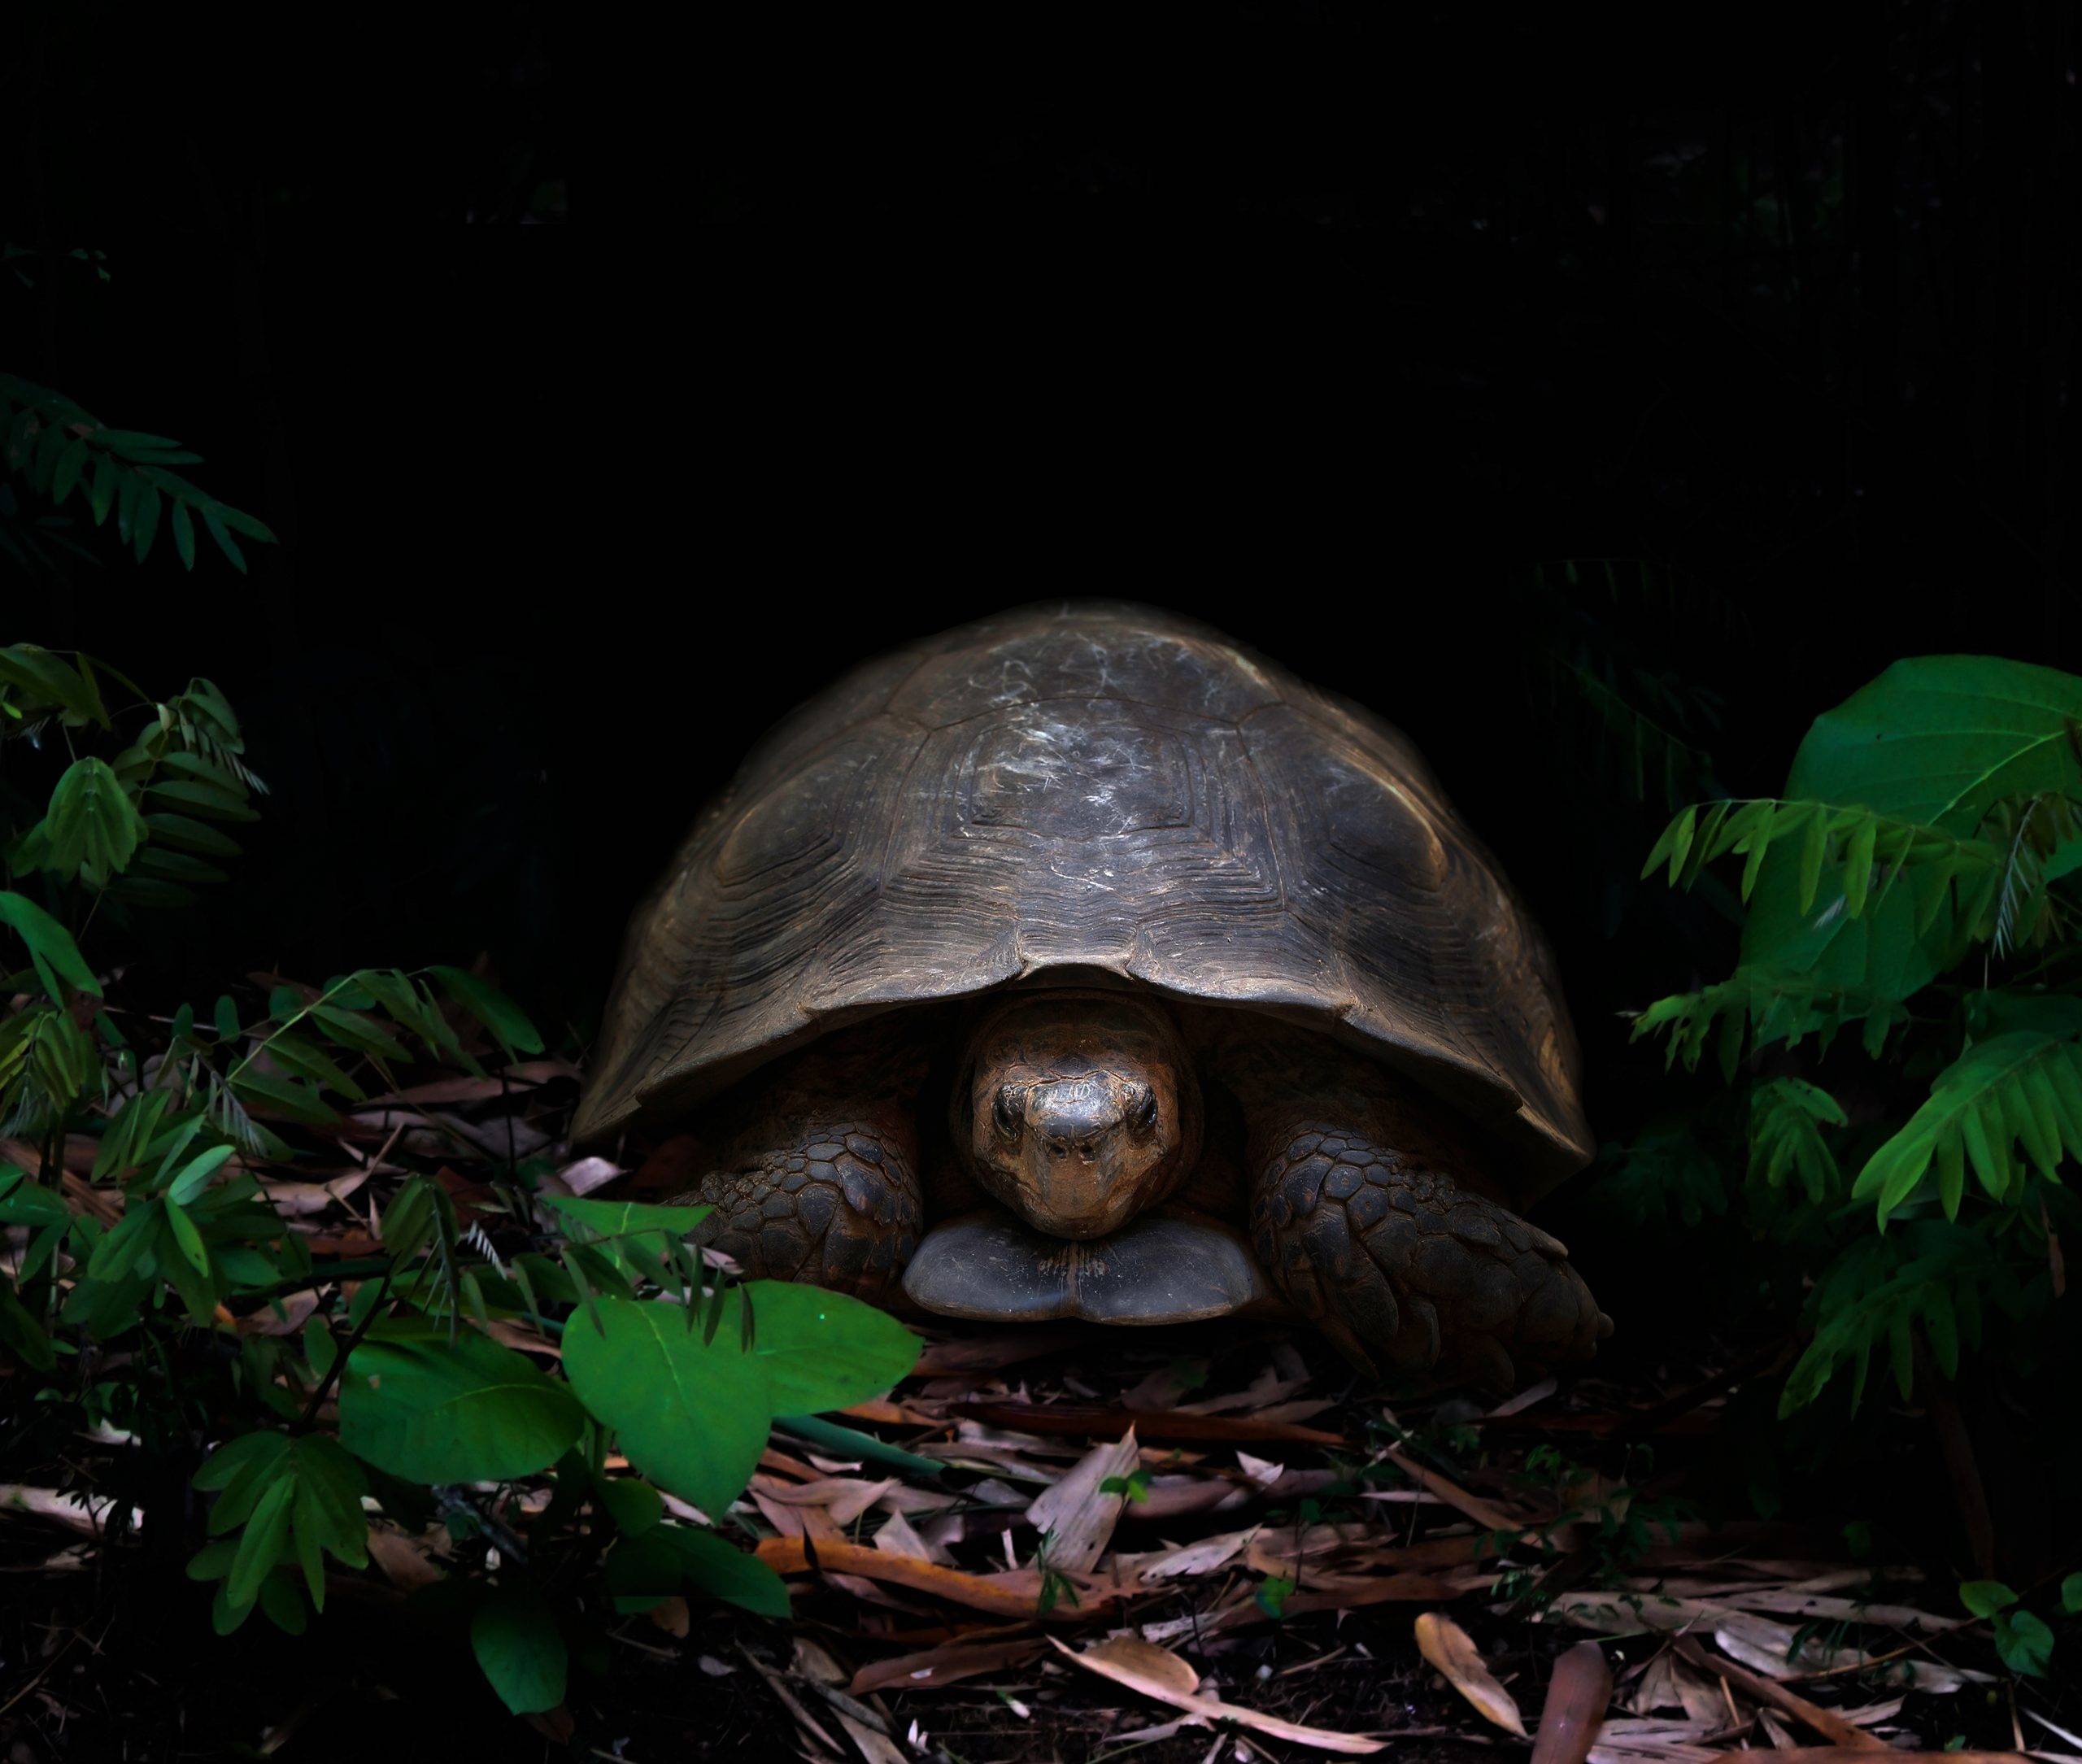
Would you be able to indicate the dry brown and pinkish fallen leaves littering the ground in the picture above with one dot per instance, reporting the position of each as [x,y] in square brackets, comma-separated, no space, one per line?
[1063,1542]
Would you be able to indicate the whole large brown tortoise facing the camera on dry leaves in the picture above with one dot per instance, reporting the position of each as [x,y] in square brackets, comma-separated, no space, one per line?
[1084,963]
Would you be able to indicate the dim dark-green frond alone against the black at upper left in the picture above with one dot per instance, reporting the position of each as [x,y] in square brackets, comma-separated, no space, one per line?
[59,449]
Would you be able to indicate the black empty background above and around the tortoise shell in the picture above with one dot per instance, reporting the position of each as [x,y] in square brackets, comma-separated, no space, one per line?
[1323,322]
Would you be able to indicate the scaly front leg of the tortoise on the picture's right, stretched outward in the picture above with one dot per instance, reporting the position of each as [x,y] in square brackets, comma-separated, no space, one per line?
[1363,1215]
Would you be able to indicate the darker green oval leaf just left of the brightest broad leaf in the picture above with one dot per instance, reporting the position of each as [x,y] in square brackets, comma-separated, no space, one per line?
[436,1411]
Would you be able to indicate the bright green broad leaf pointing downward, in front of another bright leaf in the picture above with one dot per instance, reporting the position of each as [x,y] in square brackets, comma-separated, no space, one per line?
[692,1415]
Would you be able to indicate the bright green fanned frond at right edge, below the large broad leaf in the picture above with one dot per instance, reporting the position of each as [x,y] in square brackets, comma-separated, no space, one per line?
[2018,1090]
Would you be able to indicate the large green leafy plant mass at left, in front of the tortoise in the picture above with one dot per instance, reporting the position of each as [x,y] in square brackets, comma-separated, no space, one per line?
[153,1271]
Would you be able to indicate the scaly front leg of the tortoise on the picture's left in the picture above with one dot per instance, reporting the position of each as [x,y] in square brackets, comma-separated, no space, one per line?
[817,1178]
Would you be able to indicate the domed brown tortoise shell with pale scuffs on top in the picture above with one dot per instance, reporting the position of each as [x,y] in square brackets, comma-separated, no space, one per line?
[1092,792]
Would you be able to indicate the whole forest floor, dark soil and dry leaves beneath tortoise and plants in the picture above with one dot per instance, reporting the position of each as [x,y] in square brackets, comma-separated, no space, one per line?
[1077,1544]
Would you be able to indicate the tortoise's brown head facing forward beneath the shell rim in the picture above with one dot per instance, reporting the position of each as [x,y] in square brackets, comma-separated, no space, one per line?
[1080,1109]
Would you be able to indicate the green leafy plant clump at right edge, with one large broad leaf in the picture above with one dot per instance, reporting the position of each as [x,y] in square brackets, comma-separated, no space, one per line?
[1914,892]
